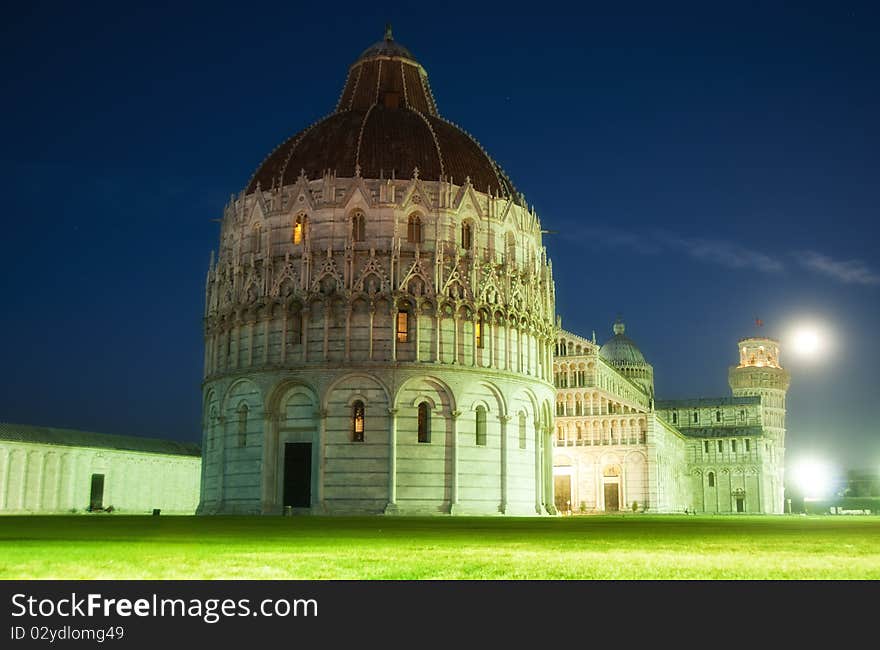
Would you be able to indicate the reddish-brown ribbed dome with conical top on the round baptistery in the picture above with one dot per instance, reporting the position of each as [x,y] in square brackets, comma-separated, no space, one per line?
[385,125]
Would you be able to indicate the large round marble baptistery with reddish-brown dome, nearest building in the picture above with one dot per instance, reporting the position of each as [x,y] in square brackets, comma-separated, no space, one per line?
[379,320]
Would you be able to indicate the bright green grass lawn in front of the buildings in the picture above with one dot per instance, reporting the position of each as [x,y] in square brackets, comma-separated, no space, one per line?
[604,547]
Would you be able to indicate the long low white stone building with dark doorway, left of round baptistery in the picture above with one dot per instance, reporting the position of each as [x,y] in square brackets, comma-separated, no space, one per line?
[46,470]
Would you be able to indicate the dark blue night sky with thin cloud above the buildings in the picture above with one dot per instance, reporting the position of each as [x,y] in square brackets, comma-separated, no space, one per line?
[703,165]
